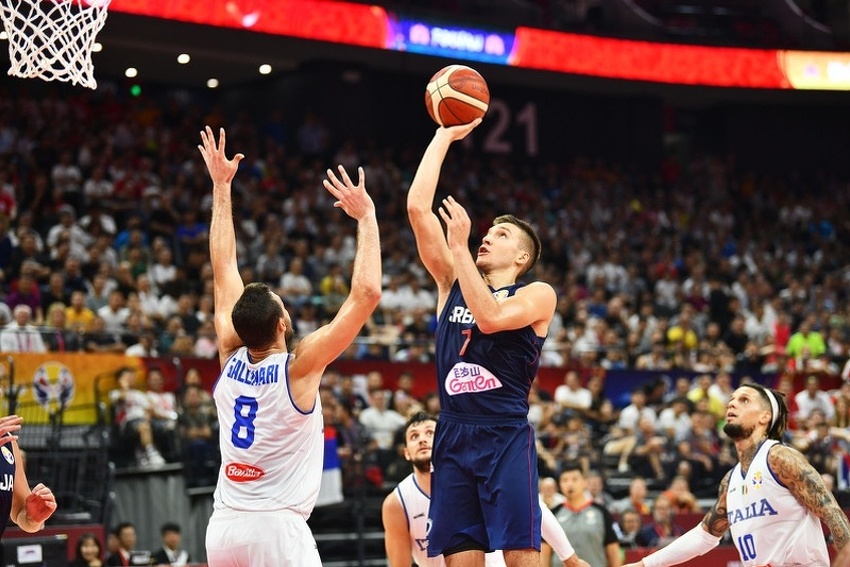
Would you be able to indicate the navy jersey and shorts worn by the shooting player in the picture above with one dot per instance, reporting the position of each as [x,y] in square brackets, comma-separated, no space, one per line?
[485,460]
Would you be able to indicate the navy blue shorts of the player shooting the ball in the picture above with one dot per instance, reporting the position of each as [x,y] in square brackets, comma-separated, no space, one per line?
[484,486]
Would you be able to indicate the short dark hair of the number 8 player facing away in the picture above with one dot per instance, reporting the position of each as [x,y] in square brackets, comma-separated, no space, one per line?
[255,316]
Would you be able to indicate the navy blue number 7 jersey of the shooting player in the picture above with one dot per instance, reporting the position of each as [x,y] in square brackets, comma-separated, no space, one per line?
[484,375]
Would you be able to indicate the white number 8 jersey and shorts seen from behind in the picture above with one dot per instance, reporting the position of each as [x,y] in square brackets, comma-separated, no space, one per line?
[271,455]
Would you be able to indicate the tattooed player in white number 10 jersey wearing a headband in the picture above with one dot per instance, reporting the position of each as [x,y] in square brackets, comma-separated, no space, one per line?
[772,501]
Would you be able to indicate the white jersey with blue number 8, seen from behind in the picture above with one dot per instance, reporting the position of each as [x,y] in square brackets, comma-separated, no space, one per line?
[271,451]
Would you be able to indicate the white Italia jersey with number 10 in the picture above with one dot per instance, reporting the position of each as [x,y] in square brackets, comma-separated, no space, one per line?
[769,526]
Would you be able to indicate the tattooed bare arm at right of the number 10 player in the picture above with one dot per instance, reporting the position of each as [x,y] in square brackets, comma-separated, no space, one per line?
[805,483]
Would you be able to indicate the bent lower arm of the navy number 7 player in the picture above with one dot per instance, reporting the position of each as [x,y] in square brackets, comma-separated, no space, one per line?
[533,304]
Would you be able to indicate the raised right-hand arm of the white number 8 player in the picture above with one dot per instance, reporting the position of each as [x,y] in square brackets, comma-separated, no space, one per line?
[321,347]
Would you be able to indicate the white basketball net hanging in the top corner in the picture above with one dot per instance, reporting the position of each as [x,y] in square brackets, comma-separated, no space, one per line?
[53,39]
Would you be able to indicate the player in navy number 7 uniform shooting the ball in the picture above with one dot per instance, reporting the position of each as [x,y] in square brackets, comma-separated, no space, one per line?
[489,336]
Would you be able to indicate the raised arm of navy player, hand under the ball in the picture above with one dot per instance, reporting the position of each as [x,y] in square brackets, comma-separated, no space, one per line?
[430,241]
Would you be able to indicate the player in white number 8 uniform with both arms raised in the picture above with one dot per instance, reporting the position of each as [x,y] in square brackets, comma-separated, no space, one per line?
[267,398]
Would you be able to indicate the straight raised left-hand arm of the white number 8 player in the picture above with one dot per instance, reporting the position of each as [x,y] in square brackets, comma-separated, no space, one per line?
[226,279]
